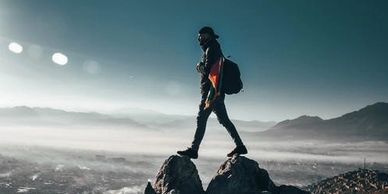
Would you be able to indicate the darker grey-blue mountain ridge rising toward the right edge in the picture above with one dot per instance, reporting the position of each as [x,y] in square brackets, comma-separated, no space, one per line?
[370,122]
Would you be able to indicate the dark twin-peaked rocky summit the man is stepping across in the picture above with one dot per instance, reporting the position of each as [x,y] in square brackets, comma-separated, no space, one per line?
[237,175]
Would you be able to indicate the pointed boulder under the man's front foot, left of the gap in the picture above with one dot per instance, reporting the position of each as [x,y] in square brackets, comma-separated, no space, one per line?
[178,175]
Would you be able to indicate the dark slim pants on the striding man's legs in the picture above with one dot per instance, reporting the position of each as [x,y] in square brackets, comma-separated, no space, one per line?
[218,107]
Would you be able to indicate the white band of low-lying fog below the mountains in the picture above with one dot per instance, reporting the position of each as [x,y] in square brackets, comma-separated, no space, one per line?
[216,144]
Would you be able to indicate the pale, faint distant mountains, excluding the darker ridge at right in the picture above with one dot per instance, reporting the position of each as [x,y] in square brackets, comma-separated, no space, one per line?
[130,118]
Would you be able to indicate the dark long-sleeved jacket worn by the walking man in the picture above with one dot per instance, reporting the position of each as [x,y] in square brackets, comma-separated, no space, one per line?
[211,53]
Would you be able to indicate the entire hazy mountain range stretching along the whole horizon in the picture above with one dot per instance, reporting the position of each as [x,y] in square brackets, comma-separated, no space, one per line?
[370,122]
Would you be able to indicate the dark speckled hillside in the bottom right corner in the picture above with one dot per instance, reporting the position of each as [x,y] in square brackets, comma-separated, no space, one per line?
[359,181]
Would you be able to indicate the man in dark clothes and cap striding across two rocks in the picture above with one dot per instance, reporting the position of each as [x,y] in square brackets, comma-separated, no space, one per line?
[212,95]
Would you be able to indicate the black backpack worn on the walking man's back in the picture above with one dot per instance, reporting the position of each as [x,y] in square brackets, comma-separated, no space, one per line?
[231,80]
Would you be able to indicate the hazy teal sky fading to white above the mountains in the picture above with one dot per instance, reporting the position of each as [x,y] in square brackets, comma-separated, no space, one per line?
[322,58]
